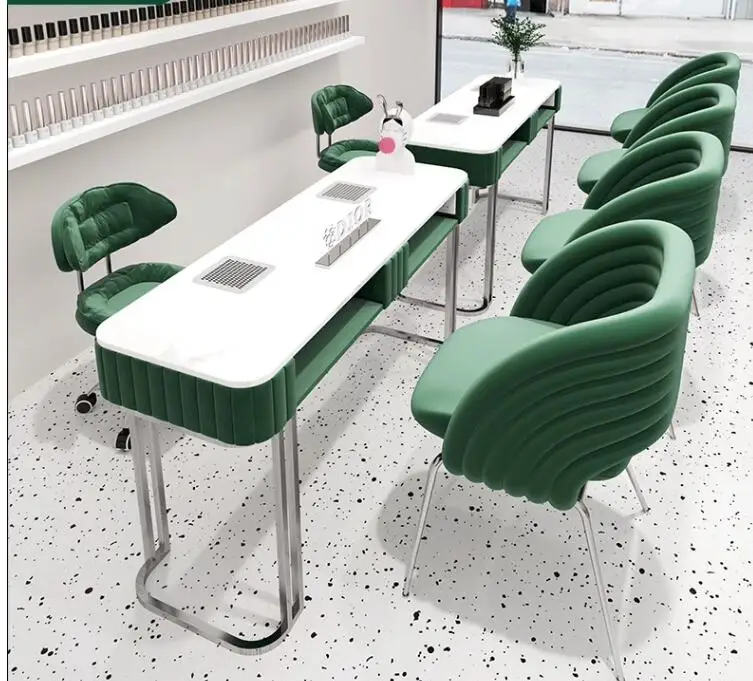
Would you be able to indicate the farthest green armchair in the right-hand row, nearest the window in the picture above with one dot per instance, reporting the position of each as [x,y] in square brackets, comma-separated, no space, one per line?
[717,67]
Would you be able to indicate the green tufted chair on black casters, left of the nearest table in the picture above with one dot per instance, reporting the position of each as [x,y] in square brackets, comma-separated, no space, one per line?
[91,227]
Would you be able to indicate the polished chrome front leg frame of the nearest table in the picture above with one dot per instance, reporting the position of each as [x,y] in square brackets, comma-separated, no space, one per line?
[284,447]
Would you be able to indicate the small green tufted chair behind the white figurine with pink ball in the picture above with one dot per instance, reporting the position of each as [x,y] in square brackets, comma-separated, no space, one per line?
[333,107]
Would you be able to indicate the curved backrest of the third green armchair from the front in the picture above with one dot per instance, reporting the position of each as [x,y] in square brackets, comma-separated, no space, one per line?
[701,108]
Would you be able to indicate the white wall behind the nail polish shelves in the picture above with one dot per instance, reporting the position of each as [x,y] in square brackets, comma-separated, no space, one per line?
[224,163]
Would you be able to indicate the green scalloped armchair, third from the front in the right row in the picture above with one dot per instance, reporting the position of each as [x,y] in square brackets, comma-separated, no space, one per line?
[703,108]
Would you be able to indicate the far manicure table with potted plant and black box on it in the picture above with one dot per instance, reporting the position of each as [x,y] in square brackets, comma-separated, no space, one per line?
[450,134]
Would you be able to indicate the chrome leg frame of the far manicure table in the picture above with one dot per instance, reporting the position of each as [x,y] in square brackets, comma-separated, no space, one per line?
[492,194]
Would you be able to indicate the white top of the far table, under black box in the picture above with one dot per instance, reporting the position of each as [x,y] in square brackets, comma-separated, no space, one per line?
[479,134]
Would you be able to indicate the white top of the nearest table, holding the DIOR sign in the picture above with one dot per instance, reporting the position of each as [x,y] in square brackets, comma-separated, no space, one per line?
[243,339]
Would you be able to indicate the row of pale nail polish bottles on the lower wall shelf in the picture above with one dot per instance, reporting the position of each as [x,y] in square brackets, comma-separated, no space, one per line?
[116,95]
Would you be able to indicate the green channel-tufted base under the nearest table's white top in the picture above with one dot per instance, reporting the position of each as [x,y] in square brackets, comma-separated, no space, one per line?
[252,415]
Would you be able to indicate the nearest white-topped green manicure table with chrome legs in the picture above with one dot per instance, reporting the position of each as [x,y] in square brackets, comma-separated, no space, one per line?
[229,347]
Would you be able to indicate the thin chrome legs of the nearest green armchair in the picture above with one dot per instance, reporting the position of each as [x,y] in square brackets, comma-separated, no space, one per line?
[431,479]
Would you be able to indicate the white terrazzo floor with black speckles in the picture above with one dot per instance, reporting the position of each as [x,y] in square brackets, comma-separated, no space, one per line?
[503,588]
